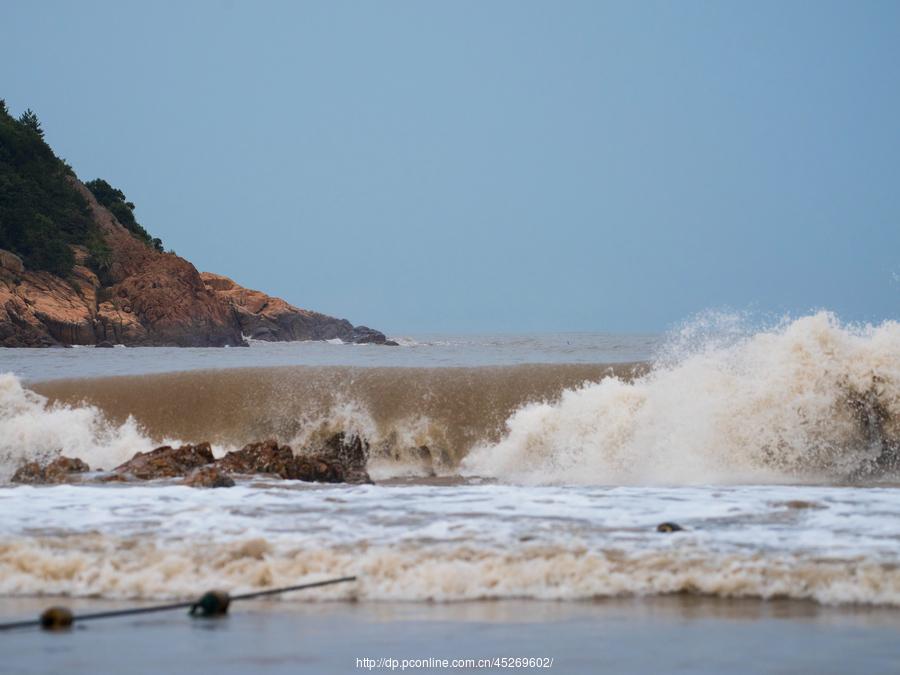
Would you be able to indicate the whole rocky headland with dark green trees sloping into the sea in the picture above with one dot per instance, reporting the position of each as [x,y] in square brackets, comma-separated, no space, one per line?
[77,268]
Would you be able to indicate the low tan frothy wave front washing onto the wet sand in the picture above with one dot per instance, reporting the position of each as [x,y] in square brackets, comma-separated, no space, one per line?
[102,566]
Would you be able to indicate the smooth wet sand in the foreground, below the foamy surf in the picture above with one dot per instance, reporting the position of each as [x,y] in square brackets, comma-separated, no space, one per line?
[675,634]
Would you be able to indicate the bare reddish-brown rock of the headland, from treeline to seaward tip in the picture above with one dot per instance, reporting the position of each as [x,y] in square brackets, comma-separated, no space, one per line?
[149,298]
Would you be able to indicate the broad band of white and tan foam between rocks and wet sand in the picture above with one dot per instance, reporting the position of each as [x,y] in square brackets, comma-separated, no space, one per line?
[460,543]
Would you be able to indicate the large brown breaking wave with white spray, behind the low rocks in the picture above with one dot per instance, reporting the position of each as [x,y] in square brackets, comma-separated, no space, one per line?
[810,399]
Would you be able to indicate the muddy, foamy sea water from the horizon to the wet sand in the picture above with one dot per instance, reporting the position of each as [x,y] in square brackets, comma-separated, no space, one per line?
[513,468]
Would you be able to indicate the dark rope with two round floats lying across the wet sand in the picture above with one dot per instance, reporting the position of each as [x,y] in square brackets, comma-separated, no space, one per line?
[212,603]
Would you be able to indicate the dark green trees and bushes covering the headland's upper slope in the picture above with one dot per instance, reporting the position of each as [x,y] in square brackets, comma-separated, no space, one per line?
[41,212]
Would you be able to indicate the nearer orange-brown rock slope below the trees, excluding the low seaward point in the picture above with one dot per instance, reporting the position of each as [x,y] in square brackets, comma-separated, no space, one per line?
[153,298]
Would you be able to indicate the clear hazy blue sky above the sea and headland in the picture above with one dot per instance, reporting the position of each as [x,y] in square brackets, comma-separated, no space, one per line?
[491,166]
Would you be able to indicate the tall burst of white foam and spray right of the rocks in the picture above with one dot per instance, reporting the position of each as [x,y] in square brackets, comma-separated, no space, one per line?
[810,399]
